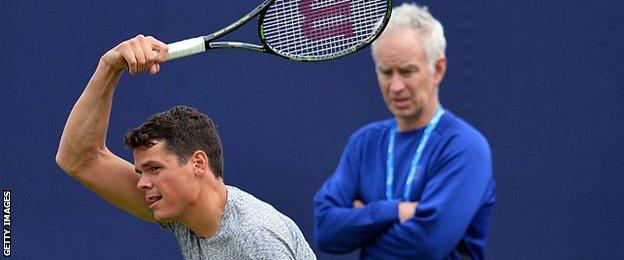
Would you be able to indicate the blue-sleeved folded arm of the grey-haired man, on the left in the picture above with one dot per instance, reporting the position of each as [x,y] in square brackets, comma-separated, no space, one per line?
[339,226]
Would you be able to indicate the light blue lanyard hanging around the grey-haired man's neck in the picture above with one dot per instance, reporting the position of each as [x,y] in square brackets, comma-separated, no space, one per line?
[415,160]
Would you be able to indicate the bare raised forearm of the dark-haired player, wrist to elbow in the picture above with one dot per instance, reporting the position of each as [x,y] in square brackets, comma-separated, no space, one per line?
[84,136]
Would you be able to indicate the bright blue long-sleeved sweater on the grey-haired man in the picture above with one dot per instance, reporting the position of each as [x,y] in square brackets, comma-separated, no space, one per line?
[455,191]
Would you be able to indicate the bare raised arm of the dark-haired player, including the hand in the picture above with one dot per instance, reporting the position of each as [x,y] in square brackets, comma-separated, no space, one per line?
[82,151]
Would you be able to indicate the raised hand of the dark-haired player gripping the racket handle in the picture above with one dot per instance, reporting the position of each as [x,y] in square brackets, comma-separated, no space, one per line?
[138,54]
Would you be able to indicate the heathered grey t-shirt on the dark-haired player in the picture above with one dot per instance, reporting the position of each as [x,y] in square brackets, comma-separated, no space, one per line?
[250,229]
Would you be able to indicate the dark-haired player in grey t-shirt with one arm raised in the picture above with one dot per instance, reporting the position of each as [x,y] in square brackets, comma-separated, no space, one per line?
[177,176]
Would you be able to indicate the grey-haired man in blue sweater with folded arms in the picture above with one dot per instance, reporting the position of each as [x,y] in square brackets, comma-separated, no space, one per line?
[418,185]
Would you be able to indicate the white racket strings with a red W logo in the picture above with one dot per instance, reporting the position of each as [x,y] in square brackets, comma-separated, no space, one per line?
[319,29]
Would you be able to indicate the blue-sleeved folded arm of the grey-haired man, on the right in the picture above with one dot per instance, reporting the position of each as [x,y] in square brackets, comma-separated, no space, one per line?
[450,200]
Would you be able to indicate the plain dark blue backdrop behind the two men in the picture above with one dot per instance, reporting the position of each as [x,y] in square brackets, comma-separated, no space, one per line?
[541,79]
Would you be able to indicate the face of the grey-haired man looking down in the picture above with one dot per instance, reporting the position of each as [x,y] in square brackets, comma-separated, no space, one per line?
[408,88]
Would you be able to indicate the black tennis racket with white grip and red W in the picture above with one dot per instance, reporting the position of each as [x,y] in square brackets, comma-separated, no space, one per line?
[301,30]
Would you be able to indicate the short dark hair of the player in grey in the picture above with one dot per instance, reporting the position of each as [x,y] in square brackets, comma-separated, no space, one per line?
[184,130]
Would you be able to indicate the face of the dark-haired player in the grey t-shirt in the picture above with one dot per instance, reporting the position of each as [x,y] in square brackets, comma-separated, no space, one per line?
[169,188]
